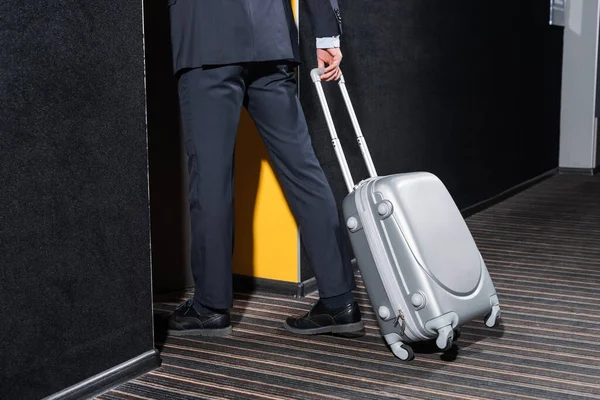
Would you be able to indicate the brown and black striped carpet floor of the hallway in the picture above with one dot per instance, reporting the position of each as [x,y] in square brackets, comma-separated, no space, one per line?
[542,248]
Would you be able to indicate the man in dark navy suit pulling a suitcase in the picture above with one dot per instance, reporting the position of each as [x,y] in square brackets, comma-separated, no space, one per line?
[233,53]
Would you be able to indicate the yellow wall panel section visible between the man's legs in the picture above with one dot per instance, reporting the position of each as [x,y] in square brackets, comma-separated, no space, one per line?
[266,240]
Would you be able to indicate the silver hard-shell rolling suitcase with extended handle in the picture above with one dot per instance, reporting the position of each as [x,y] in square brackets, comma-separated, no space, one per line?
[422,270]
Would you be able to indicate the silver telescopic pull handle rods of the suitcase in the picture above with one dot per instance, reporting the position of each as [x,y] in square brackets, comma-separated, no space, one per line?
[315,75]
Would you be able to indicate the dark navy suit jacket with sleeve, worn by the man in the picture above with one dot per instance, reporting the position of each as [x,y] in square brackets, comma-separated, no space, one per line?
[218,32]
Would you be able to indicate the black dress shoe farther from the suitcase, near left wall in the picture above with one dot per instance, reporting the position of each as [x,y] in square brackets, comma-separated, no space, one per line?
[186,321]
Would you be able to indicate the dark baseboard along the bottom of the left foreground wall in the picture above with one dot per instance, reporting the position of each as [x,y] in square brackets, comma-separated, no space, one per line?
[110,378]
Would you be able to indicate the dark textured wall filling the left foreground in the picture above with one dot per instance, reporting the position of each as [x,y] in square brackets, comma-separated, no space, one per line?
[75,286]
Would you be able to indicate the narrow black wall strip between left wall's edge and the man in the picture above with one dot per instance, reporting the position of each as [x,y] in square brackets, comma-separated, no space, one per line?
[167,159]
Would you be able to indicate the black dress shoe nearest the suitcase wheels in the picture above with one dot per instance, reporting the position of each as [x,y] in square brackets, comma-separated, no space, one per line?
[321,319]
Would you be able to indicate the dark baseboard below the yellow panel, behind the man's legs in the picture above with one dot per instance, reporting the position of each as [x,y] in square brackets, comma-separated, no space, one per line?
[250,284]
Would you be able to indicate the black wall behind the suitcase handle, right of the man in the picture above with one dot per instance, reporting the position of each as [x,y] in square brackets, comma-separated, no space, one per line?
[463,89]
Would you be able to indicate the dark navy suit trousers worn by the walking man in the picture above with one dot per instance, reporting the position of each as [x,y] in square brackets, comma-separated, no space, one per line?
[211,100]
